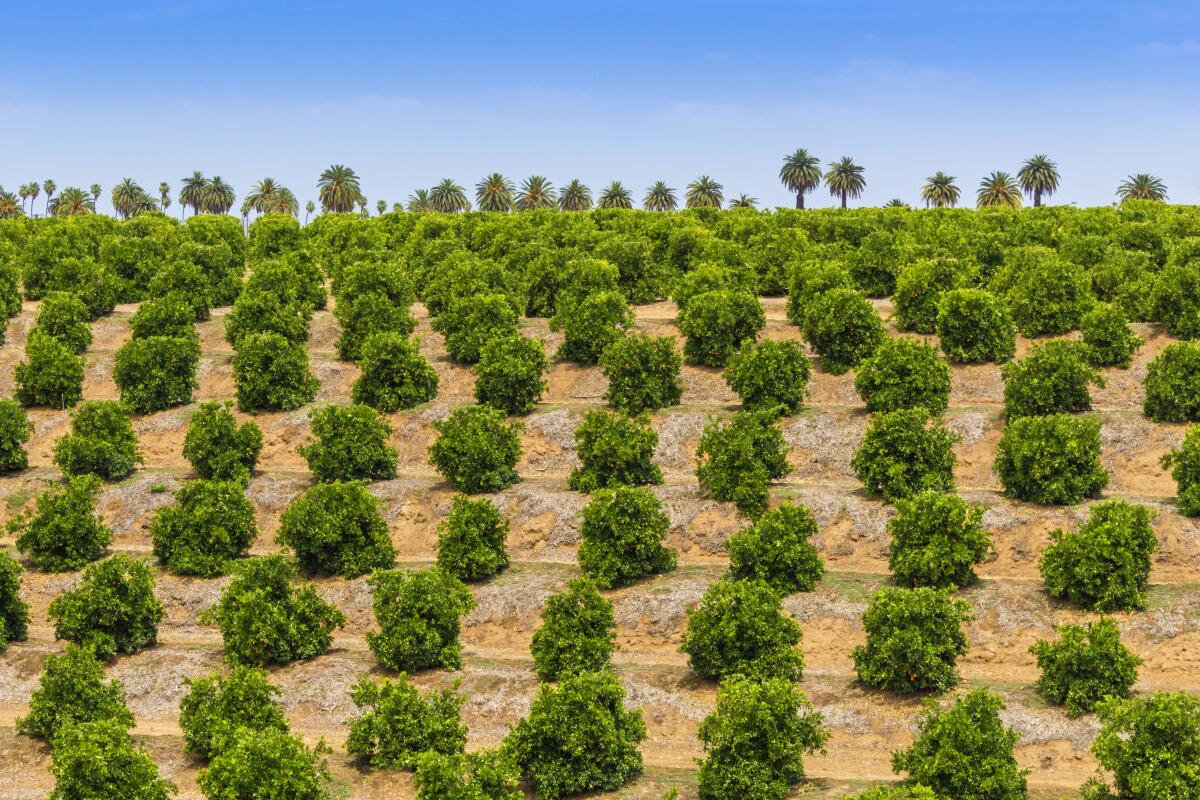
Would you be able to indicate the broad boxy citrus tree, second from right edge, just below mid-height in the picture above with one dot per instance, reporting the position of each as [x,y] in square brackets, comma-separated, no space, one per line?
[1052,460]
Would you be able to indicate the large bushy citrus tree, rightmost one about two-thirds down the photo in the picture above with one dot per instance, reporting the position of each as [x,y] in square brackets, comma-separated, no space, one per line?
[1105,566]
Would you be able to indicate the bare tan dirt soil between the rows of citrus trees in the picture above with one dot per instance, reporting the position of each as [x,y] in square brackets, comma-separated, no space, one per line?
[1011,606]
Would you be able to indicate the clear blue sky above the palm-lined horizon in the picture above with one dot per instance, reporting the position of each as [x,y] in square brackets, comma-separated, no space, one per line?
[409,94]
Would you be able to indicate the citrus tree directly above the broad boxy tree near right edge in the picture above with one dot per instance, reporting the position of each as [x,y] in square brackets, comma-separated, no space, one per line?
[1053,378]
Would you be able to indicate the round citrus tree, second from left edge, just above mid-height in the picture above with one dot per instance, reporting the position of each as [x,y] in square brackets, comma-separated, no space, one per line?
[157,374]
